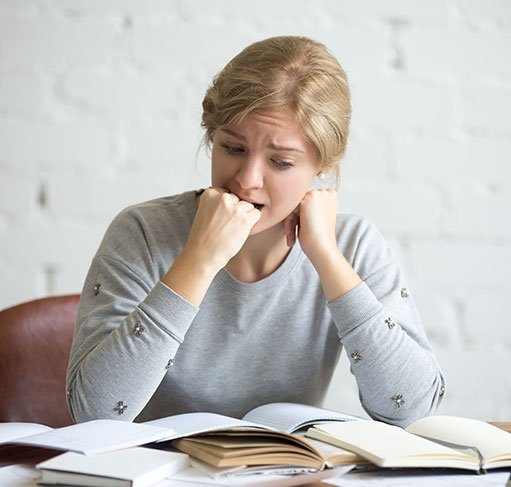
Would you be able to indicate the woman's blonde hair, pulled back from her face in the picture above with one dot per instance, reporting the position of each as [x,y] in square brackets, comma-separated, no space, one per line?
[285,71]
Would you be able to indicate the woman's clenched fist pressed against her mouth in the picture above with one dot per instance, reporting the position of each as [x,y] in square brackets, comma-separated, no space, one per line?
[221,226]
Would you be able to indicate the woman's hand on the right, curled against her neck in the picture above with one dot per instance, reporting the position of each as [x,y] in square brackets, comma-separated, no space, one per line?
[315,218]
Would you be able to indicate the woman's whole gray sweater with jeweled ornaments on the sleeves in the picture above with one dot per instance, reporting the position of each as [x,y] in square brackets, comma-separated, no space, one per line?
[141,351]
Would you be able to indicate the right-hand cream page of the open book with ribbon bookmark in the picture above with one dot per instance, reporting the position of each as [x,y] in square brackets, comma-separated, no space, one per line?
[488,439]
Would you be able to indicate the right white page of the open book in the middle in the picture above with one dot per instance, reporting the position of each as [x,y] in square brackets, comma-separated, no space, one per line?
[290,417]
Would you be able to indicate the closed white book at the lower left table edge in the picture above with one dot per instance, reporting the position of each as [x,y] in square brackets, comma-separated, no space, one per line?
[131,467]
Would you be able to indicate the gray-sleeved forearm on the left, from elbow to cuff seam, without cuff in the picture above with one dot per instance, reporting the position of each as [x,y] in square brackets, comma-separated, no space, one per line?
[123,368]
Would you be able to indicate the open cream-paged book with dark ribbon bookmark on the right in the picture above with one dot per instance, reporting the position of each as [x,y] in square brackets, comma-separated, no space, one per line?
[434,441]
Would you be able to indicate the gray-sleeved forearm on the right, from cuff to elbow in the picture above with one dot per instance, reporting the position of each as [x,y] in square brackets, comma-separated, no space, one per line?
[396,372]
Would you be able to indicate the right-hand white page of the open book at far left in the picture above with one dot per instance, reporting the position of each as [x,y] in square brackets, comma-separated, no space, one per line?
[96,436]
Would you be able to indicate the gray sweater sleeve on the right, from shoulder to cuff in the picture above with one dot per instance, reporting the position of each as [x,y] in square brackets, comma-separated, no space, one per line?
[396,370]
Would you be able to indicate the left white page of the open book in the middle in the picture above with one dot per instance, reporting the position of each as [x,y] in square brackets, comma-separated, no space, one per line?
[193,423]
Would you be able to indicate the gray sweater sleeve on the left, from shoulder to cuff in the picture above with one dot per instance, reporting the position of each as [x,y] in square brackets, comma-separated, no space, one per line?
[129,328]
